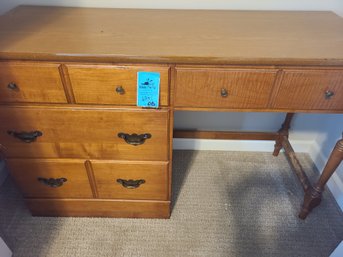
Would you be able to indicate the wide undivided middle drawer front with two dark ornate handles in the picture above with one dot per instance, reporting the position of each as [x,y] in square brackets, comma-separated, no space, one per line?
[76,133]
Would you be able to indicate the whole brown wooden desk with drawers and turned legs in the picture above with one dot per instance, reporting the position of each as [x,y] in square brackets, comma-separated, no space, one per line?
[76,143]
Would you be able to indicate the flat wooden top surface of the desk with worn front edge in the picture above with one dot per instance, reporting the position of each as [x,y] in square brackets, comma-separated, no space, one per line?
[172,36]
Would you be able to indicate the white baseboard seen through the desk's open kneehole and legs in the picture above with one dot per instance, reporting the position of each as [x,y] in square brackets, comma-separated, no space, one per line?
[335,184]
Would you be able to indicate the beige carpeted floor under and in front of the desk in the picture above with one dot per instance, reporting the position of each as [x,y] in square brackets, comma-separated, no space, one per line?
[225,204]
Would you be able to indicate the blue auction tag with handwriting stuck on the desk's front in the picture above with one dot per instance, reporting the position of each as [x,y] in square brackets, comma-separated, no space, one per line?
[148,89]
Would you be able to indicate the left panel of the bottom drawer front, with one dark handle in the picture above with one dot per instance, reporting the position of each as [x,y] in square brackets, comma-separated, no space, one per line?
[51,178]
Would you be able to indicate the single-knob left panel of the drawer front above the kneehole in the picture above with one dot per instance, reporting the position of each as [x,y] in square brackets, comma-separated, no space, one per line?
[223,88]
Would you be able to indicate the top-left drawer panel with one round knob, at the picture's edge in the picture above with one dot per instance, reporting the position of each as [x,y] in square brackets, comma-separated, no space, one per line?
[31,82]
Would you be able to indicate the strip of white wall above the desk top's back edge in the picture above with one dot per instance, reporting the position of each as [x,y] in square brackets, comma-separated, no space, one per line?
[334,5]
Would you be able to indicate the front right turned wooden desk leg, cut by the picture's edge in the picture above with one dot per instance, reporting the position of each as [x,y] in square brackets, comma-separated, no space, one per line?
[313,195]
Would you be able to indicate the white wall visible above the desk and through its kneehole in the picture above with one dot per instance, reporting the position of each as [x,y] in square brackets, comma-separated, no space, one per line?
[316,129]
